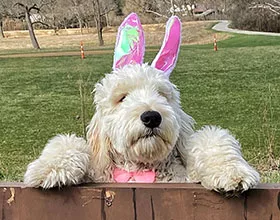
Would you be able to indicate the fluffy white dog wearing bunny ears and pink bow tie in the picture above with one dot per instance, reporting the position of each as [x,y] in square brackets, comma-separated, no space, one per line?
[139,132]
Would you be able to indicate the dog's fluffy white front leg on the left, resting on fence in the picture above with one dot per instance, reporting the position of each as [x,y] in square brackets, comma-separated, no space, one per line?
[64,161]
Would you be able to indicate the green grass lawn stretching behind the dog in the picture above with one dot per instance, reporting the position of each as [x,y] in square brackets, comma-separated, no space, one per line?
[236,87]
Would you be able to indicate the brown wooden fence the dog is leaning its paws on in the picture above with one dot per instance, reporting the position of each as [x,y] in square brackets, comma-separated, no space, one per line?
[136,202]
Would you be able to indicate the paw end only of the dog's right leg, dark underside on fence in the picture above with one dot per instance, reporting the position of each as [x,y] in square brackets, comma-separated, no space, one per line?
[232,181]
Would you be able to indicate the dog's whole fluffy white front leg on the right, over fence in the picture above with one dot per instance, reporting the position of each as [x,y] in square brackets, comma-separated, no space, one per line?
[214,159]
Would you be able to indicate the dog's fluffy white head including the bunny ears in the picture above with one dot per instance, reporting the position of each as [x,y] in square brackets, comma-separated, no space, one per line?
[138,116]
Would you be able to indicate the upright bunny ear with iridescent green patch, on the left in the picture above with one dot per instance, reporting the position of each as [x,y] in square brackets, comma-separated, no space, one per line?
[130,43]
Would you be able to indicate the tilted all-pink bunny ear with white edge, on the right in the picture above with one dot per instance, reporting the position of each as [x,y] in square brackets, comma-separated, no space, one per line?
[167,57]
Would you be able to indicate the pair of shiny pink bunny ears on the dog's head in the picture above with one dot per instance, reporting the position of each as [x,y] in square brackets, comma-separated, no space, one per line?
[130,44]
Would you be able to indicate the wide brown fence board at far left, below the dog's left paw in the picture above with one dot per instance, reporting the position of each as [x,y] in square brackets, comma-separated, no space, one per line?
[36,204]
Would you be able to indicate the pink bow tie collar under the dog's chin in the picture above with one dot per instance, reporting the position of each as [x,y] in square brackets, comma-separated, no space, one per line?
[122,176]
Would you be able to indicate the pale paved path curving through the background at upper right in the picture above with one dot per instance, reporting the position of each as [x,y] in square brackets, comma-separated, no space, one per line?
[223,26]
